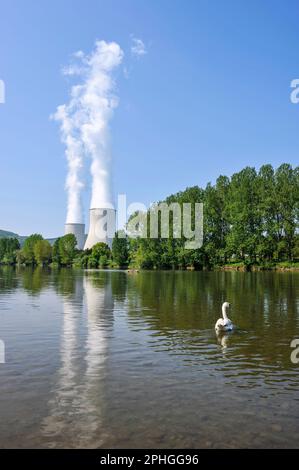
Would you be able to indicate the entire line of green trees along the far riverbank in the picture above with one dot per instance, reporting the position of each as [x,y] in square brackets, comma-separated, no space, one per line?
[250,218]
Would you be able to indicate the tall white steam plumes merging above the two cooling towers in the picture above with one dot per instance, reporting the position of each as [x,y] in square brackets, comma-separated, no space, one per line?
[85,125]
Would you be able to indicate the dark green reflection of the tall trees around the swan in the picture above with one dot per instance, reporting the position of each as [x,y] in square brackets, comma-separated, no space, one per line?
[181,309]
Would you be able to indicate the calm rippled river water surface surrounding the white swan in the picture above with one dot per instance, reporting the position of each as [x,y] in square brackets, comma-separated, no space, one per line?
[109,359]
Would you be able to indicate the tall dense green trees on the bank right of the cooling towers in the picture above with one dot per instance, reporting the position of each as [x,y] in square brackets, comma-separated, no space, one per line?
[251,218]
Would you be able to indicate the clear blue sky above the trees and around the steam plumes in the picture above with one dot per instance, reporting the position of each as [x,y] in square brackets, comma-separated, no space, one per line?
[210,96]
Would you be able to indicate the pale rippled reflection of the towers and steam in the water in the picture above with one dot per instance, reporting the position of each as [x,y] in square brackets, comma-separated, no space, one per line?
[76,411]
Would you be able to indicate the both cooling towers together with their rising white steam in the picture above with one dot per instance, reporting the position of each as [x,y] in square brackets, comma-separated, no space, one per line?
[84,125]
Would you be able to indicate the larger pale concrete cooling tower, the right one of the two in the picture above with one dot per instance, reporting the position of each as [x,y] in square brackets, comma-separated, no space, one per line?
[101,227]
